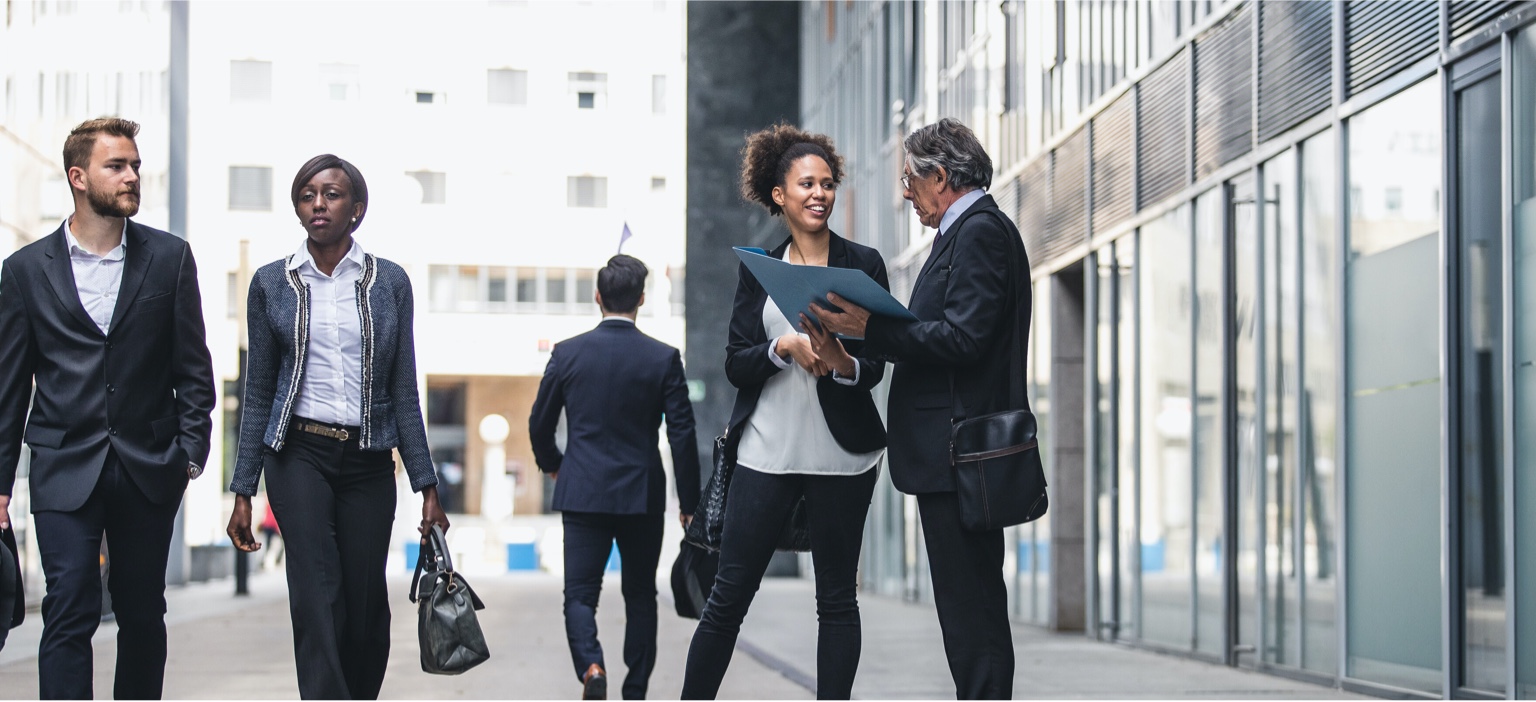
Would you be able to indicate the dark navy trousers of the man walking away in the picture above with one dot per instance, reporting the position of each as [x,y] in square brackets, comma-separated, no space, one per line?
[589,540]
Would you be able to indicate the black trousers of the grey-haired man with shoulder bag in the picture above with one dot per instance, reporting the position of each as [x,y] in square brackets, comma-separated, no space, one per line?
[967,571]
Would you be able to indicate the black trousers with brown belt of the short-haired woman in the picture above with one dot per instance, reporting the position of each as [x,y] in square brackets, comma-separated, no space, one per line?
[336,505]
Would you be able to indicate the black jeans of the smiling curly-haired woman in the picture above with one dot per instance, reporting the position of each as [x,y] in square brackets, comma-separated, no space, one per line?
[756,511]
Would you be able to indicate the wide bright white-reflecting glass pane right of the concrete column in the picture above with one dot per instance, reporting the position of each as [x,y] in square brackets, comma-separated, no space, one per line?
[1167,420]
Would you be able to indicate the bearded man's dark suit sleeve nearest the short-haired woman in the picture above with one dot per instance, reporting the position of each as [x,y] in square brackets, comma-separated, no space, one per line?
[191,365]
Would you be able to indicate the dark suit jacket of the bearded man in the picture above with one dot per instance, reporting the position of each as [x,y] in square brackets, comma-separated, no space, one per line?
[145,389]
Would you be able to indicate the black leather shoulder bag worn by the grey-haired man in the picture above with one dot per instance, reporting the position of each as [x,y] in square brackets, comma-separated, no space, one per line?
[996,459]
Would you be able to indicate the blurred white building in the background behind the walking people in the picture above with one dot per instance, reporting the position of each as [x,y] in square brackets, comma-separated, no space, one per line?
[508,159]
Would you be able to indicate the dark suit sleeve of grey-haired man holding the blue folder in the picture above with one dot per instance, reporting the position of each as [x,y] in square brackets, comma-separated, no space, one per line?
[976,297]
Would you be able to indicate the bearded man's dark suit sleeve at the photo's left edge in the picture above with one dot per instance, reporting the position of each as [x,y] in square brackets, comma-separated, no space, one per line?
[18,363]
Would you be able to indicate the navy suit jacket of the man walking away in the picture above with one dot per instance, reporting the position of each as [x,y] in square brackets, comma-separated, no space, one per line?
[615,385]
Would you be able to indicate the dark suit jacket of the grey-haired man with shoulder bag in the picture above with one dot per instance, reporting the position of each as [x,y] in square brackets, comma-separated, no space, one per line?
[967,297]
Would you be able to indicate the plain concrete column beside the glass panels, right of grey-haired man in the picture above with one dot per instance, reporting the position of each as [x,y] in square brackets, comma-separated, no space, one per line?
[1067,465]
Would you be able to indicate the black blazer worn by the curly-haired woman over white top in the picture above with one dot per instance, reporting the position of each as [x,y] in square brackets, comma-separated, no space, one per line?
[850,411]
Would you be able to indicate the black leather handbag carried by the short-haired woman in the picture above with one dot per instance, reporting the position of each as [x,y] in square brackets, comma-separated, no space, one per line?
[446,623]
